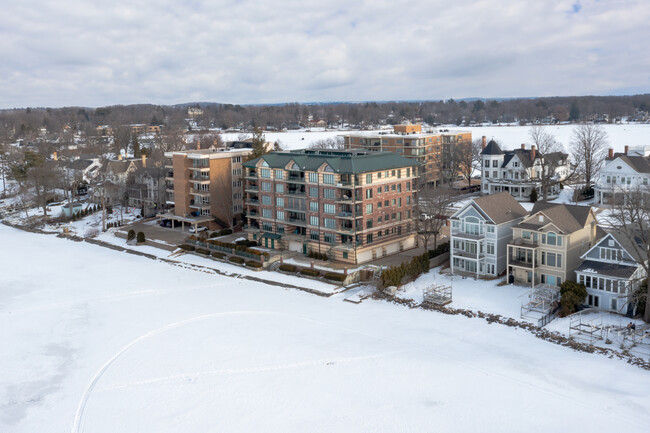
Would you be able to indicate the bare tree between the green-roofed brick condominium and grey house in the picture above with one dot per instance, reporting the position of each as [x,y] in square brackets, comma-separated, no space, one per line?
[432,209]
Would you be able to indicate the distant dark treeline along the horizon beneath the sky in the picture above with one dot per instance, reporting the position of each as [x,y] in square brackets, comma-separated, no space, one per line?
[26,122]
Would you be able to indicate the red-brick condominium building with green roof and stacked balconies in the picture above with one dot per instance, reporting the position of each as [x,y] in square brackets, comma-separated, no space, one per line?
[354,206]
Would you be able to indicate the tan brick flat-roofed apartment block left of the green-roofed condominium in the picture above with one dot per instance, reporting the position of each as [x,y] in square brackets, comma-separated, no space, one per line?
[205,186]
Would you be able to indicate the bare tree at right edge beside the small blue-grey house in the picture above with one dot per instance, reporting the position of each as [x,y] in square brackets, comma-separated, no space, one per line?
[630,215]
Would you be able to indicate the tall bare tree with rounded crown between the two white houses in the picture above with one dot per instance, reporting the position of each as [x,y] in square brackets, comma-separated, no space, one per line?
[588,148]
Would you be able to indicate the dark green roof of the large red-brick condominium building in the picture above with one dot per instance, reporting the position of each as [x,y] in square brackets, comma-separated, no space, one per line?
[343,162]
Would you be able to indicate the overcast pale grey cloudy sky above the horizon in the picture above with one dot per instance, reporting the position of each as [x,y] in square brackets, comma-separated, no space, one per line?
[96,52]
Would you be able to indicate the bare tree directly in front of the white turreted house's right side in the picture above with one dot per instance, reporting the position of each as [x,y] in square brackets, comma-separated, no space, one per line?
[551,156]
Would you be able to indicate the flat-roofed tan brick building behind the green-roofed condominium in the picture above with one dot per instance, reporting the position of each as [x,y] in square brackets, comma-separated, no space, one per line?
[431,150]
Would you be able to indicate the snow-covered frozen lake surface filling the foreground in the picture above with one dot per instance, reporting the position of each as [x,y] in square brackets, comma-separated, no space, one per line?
[101,341]
